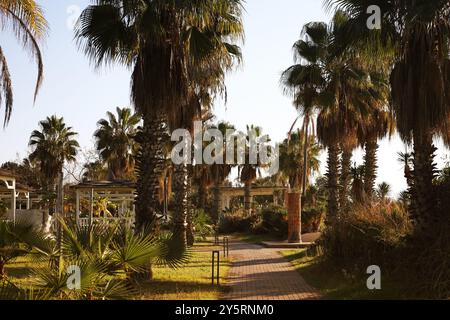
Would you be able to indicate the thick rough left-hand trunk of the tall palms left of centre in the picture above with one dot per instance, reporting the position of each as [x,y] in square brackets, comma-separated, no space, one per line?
[149,168]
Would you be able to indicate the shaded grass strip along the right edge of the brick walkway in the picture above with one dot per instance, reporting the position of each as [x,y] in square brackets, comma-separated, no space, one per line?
[334,285]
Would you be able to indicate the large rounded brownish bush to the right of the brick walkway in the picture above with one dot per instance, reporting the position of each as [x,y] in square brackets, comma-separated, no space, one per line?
[367,236]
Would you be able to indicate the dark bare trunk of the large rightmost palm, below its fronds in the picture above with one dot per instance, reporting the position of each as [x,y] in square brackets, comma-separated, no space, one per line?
[423,197]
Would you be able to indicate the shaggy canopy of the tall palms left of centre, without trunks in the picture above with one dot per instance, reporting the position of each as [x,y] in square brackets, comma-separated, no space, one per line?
[162,40]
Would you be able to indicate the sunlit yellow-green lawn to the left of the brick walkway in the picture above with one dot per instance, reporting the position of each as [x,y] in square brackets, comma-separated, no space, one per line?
[190,282]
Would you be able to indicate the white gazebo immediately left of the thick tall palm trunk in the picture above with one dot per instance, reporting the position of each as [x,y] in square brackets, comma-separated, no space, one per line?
[121,193]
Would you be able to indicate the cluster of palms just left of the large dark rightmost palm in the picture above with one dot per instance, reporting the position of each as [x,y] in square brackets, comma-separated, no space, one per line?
[347,97]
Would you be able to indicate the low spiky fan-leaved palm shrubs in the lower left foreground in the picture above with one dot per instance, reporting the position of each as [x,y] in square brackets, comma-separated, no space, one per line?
[110,260]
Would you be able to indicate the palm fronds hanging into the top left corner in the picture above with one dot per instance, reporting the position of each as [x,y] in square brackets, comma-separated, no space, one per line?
[26,19]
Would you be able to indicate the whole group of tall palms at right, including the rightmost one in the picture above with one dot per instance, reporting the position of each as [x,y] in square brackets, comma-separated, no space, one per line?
[361,84]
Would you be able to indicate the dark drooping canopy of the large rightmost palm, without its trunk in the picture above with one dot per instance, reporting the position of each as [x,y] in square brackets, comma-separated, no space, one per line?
[417,33]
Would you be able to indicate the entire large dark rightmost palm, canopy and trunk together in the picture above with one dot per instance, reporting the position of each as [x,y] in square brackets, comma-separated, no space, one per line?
[417,31]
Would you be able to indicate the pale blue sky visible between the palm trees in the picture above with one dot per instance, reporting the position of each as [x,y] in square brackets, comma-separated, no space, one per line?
[81,95]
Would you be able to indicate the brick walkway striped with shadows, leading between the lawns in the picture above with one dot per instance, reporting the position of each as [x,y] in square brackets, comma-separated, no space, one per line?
[258,273]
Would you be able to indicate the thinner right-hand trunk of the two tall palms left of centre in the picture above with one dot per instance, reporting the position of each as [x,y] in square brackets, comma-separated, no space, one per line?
[180,214]
